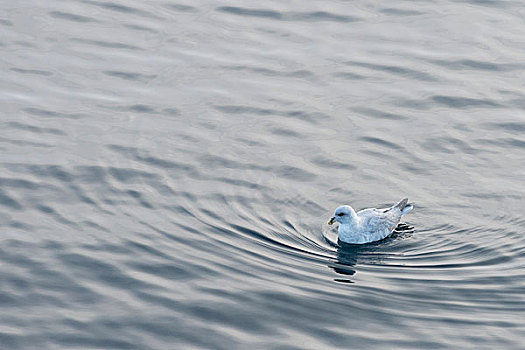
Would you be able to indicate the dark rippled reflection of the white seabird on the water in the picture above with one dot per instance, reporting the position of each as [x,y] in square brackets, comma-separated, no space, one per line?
[349,255]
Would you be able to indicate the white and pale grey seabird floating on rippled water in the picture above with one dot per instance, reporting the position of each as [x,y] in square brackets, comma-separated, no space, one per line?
[368,225]
